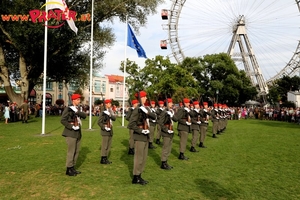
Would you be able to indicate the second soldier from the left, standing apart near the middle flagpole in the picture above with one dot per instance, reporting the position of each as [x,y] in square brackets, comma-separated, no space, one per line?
[106,129]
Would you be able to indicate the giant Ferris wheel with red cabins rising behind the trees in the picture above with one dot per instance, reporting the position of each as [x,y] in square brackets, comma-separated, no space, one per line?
[265,32]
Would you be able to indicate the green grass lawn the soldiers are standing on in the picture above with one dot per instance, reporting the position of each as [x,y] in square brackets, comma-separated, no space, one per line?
[253,159]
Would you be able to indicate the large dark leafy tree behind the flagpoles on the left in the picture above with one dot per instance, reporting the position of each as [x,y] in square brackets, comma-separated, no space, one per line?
[22,43]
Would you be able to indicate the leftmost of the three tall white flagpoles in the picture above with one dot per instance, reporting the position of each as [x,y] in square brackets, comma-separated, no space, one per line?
[45,75]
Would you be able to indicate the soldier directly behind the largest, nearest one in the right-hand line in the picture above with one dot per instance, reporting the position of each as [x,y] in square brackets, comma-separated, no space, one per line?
[166,124]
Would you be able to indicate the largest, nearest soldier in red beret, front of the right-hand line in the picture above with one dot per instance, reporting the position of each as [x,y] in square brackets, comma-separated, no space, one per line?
[139,123]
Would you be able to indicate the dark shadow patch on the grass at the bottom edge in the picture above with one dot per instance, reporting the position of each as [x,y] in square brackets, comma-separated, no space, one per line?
[213,190]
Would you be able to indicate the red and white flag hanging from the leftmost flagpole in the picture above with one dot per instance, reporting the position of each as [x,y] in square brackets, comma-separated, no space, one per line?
[61,4]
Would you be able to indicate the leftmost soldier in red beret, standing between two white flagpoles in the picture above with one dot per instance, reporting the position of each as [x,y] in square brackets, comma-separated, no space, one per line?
[70,118]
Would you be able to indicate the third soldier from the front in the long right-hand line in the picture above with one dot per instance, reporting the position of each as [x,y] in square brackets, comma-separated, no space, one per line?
[184,125]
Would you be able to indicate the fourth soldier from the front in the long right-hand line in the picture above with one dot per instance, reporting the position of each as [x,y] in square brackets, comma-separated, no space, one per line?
[195,117]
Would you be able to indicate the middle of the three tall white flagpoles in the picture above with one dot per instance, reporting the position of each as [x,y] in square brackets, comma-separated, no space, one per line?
[91,65]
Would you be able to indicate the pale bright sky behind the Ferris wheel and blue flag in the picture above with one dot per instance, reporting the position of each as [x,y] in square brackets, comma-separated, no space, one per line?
[205,27]
